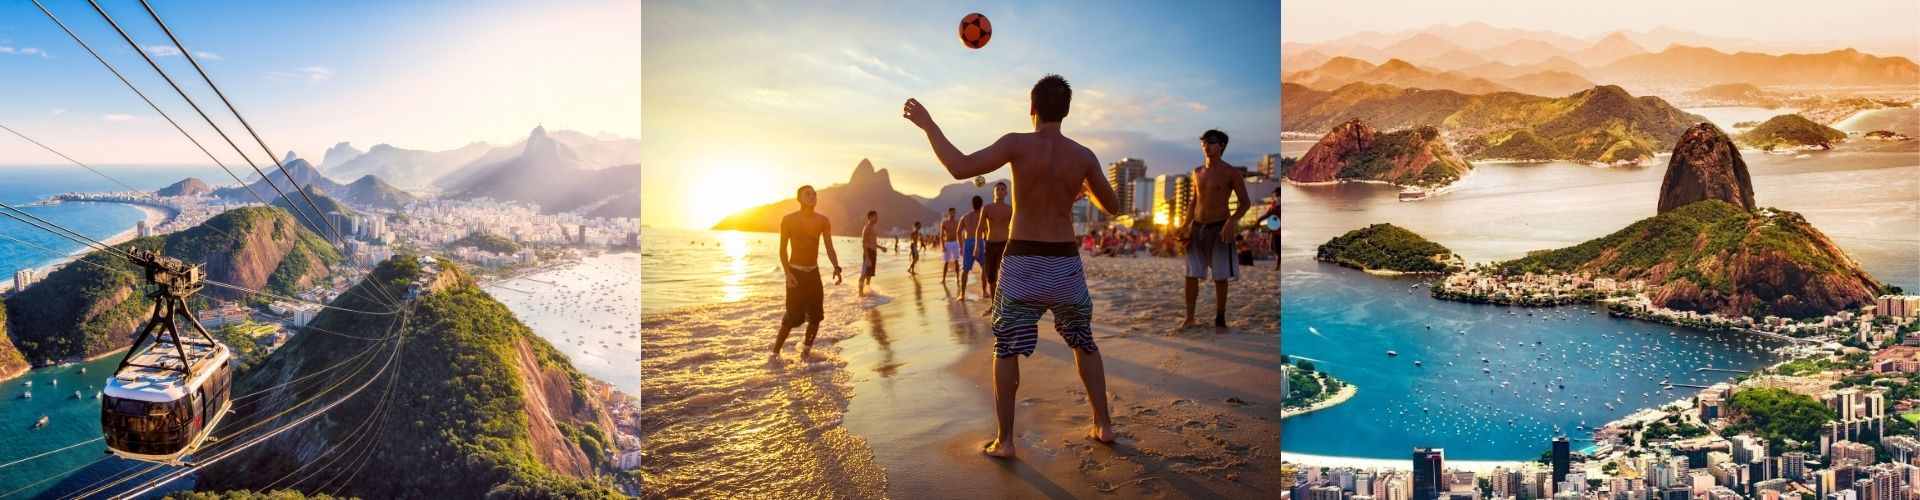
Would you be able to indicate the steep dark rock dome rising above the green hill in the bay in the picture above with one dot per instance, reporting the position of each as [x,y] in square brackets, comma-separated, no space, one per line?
[1706,166]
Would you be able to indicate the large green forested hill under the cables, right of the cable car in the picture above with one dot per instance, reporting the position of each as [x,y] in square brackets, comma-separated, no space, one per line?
[458,424]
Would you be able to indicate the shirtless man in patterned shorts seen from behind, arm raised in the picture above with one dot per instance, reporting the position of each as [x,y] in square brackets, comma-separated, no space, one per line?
[1042,270]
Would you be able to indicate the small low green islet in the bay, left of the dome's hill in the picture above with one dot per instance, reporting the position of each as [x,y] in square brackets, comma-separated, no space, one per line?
[1387,247]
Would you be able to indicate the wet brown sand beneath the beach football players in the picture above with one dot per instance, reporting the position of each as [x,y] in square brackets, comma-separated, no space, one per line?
[1197,412]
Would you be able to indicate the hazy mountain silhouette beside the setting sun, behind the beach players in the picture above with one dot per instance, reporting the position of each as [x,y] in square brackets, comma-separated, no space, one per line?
[844,205]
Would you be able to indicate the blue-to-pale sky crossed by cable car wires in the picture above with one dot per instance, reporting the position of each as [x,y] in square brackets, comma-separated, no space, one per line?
[429,76]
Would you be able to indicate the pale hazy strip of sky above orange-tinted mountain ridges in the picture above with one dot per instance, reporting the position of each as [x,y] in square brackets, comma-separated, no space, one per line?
[1867,22]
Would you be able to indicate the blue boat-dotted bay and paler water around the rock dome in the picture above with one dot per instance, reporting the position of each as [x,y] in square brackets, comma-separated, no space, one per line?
[1343,320]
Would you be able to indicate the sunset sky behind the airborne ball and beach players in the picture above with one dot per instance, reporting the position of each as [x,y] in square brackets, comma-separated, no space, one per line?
[748,101]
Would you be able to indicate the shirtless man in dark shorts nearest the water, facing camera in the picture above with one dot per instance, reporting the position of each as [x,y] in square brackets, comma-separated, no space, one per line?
[805,232]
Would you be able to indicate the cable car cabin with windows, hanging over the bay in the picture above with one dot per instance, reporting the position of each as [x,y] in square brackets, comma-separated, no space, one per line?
[160,414]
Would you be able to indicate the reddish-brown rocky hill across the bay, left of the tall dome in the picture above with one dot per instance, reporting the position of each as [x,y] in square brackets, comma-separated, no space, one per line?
[1358,153]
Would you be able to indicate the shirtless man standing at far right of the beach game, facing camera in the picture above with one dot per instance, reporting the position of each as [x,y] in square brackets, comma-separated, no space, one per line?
[1211,232]
